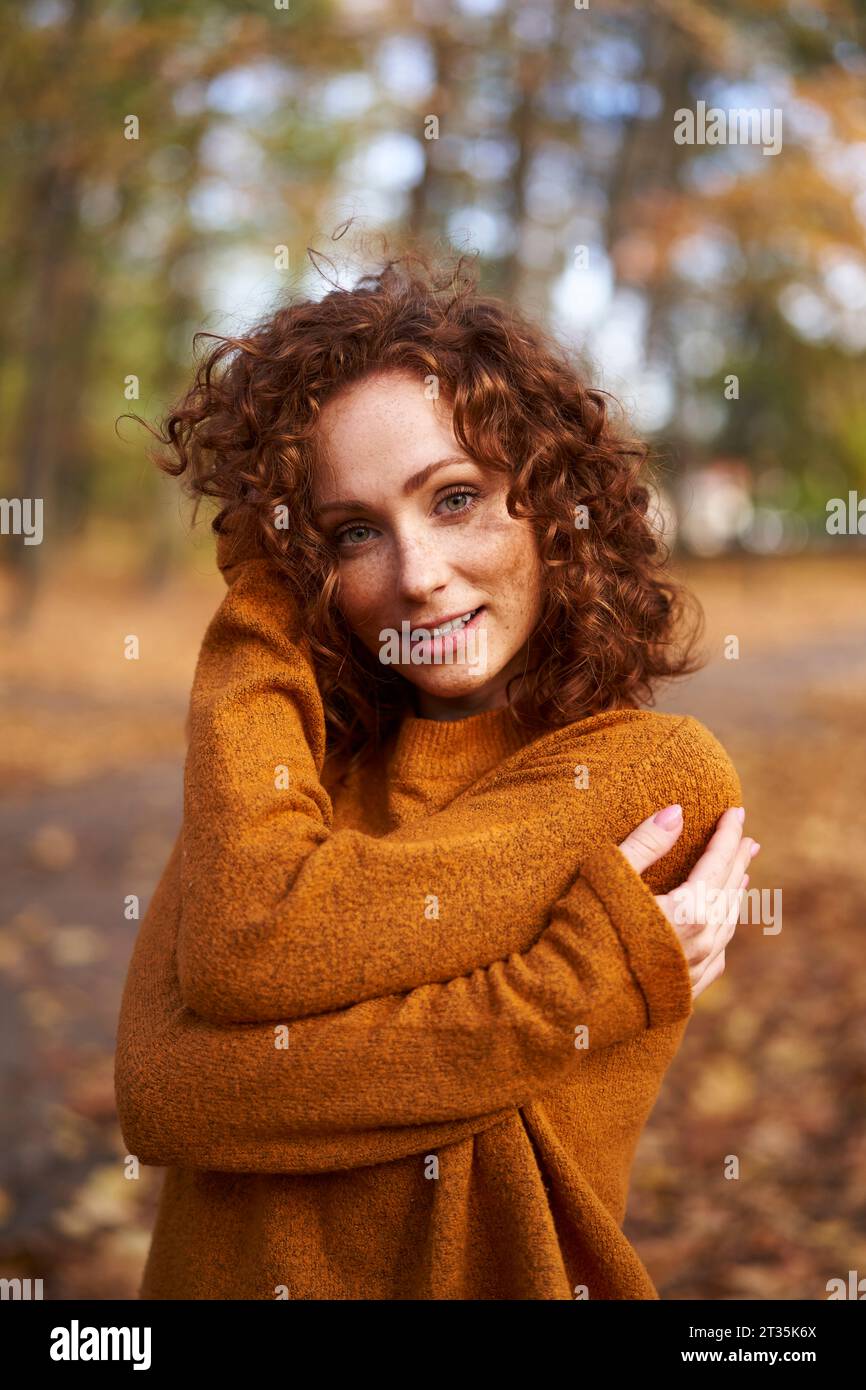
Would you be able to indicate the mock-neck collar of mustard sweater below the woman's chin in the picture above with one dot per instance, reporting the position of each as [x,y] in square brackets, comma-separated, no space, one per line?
[457,750]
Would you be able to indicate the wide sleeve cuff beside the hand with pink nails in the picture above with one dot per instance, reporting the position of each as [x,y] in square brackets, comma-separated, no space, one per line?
[655,957]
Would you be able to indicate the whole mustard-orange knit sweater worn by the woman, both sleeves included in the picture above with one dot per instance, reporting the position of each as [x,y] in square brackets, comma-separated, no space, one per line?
[398,1038]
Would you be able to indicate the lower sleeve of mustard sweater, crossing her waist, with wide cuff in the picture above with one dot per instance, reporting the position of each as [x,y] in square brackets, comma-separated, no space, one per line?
[400,1074]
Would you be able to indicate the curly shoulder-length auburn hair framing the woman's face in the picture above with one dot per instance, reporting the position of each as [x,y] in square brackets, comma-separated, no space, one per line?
[612,622]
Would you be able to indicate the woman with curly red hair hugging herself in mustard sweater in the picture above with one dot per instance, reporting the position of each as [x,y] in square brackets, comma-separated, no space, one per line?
[423,951]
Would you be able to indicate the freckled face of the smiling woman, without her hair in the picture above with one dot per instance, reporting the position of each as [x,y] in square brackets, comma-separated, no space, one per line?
[423,536]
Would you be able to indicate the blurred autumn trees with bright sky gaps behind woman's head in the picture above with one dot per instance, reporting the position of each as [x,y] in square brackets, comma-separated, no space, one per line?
[256,129]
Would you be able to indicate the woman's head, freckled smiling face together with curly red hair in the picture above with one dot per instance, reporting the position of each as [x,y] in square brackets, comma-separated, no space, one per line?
[344,401]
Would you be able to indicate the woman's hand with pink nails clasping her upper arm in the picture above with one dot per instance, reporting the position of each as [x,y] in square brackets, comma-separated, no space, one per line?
[704,911]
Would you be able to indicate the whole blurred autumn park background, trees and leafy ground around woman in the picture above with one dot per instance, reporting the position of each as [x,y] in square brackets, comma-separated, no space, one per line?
[166,170]
